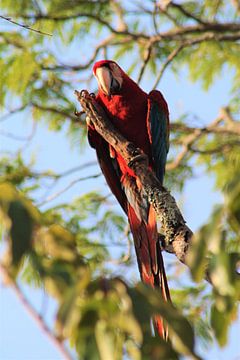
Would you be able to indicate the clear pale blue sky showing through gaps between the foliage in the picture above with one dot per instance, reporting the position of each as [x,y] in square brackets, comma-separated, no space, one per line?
[20,338]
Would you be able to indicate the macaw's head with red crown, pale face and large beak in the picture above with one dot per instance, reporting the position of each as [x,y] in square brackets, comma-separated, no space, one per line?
[109,77]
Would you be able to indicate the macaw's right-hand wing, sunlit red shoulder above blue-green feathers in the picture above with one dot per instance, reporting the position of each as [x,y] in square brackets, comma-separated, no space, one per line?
[158,131]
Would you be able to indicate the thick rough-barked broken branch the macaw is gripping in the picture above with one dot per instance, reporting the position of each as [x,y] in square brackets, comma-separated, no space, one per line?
[177,235]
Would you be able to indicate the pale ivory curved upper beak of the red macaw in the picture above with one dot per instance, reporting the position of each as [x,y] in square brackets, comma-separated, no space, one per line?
[106,81]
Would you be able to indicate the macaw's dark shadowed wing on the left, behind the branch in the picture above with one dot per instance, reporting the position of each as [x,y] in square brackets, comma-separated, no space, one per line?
[109,166]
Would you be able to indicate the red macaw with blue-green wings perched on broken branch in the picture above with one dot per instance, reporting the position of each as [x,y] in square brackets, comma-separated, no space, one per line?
[142,119]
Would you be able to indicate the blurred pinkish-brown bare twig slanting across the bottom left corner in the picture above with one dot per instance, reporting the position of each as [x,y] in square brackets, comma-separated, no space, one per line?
[34,315]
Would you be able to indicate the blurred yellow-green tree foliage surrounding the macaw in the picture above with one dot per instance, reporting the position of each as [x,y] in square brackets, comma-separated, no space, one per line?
[66,248]
